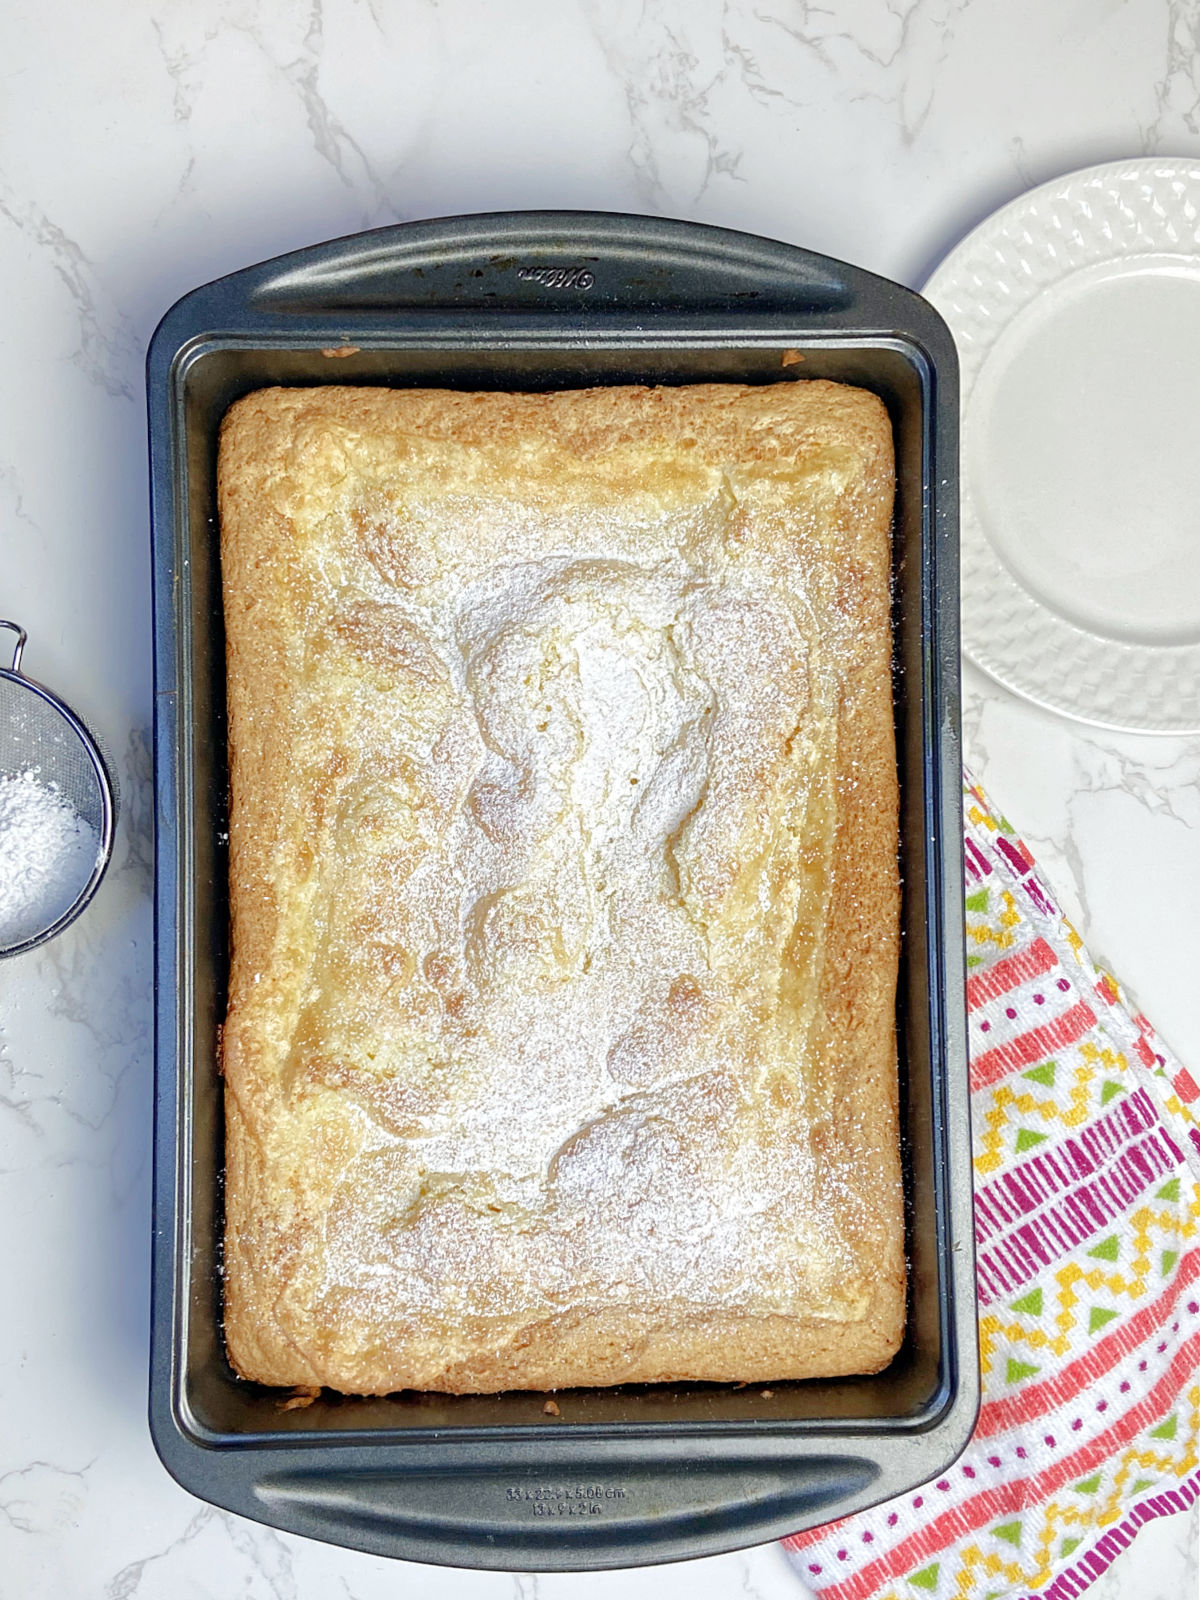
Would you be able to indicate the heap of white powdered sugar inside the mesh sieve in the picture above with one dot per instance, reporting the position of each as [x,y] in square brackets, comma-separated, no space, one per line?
[47,855]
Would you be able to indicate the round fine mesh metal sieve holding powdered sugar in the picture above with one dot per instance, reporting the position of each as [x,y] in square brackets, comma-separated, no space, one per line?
[57,802]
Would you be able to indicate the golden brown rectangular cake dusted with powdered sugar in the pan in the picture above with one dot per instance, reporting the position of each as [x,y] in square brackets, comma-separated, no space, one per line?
[561,1041]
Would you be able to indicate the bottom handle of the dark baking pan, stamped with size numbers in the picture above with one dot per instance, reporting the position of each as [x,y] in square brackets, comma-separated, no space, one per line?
[566,1521]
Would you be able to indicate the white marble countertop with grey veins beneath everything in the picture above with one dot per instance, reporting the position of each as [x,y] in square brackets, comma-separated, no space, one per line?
[146,150]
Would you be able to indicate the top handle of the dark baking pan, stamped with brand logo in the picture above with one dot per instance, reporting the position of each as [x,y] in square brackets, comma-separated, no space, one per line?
[546,263]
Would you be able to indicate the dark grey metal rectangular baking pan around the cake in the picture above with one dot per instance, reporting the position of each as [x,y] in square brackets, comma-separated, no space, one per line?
[623,1476]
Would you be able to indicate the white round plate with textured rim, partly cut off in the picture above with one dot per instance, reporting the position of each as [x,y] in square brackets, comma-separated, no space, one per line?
[1078,318]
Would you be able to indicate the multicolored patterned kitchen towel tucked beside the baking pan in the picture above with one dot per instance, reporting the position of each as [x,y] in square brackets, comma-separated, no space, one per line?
[1087,1159]
